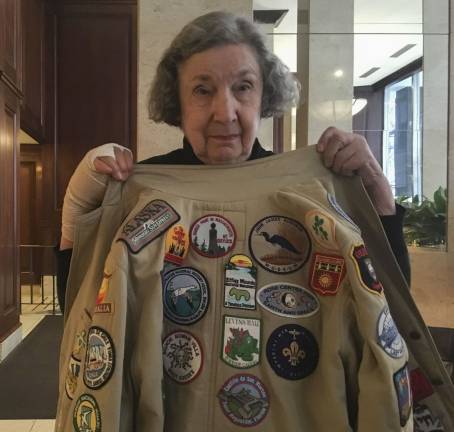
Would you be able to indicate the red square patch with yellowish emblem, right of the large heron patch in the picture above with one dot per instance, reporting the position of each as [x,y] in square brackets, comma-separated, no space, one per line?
[327,273]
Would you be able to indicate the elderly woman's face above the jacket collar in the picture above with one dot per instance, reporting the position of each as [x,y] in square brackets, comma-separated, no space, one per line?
[220,97]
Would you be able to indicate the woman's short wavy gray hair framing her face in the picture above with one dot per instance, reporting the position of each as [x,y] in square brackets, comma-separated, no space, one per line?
[280,87]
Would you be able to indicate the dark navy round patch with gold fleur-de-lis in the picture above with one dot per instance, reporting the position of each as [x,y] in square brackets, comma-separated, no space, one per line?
[292,352]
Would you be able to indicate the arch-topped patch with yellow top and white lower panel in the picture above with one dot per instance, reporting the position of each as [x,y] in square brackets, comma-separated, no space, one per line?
[240,283]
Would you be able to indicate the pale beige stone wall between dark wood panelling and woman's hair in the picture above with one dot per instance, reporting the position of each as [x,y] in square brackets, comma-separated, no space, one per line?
[159,22]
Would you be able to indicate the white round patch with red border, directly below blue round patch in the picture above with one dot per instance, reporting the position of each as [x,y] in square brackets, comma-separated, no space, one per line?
[182,356]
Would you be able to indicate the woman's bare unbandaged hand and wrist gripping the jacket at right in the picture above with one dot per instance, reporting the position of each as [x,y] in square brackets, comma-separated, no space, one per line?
[348,154]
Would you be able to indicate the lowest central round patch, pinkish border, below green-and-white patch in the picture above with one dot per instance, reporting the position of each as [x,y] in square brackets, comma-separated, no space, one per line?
[244,400]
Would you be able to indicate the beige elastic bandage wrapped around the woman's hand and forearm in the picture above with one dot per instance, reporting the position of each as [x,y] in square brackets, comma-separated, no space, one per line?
[86,188]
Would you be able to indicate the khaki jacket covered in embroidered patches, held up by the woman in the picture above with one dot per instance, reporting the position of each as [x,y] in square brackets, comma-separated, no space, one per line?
[274,318]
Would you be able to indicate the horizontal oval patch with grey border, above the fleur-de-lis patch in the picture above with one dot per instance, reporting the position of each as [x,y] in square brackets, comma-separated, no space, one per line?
[288,300]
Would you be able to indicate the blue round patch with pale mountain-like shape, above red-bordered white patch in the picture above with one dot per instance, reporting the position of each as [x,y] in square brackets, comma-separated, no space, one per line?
[185,295]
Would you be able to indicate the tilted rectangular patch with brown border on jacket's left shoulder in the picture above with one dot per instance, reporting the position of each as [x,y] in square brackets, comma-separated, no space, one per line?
[152,221]
